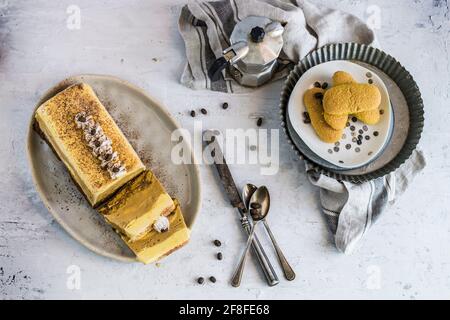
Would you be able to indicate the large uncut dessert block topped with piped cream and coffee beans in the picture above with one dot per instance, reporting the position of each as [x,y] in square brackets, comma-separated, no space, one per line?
[85,137]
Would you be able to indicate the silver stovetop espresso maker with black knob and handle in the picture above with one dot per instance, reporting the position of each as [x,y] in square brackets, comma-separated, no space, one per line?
[256,43]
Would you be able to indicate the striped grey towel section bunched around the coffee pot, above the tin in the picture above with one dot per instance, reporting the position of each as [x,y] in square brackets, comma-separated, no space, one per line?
[207,26]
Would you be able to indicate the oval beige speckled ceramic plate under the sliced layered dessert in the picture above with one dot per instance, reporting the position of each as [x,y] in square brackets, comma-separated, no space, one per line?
[148,126]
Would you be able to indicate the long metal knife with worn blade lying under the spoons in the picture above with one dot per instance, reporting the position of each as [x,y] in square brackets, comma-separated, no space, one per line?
[236,201]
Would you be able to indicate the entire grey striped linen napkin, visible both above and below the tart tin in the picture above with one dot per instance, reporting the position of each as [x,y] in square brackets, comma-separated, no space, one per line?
[350,209]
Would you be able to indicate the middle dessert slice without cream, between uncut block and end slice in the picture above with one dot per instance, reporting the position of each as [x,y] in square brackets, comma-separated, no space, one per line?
[137,205]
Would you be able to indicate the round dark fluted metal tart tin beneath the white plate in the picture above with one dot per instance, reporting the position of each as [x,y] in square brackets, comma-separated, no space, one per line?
[406,104]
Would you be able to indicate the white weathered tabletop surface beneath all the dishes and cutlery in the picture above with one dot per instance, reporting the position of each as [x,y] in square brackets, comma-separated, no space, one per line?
[405,255]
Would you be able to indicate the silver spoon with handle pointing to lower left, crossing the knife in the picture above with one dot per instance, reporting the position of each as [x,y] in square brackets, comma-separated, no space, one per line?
[260,199]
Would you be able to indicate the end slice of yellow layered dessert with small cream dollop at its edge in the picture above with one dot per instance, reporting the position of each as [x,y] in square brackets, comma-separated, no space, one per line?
[166,236]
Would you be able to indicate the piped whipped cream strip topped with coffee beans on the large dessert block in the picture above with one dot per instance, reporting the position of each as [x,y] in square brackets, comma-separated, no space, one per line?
[100,145]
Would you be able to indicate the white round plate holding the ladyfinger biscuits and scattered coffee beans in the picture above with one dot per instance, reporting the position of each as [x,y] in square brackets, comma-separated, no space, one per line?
[338,154]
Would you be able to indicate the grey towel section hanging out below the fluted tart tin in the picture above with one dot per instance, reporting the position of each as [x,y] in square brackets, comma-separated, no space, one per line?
[350,209]
